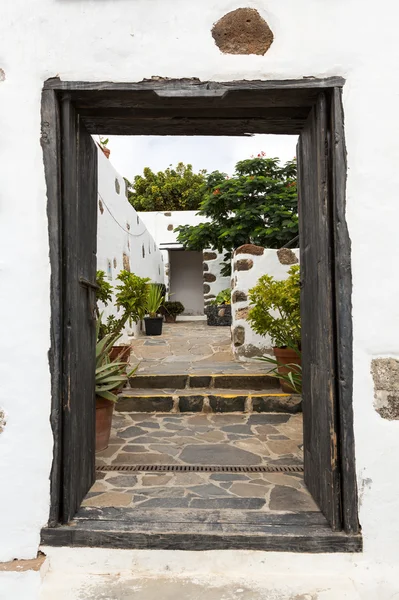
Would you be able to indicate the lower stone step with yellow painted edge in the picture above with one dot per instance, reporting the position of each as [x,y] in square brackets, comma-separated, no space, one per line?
[208,400]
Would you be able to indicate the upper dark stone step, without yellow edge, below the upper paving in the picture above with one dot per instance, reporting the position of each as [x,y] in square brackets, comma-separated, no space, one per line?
[231,381]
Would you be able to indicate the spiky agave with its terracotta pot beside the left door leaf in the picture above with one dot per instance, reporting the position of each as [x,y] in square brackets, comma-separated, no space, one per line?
[110,378]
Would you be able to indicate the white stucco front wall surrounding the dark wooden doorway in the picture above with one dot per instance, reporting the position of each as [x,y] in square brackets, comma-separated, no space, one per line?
[132,40]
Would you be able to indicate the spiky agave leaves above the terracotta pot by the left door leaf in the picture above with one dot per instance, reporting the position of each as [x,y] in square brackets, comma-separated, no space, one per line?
[110,375]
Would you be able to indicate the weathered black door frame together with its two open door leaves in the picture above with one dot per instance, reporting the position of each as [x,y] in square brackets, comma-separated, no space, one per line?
[311,108]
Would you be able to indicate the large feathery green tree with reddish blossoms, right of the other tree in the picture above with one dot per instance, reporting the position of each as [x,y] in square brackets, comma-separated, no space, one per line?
[257,205]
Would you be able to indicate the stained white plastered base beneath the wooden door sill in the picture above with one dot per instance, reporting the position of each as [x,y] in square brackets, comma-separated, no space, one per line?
[92,574]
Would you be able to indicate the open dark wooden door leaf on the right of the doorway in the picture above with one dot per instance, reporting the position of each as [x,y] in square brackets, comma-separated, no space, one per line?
[322,475]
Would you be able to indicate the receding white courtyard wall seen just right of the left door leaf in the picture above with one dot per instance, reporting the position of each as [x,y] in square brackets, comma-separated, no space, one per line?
[121,232]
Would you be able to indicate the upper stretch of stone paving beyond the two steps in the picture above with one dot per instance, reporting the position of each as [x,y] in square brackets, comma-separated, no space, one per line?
[190,347]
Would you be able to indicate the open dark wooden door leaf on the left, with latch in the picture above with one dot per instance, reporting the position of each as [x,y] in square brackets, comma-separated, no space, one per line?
[79,243]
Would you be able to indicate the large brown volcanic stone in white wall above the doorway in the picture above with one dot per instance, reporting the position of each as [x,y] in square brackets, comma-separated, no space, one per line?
[242,31]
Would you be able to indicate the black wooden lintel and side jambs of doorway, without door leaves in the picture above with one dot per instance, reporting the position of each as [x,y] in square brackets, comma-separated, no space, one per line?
[191,107]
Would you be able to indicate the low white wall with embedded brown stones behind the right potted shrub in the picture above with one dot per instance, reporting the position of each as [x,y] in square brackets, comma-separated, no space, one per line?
[248,264]
